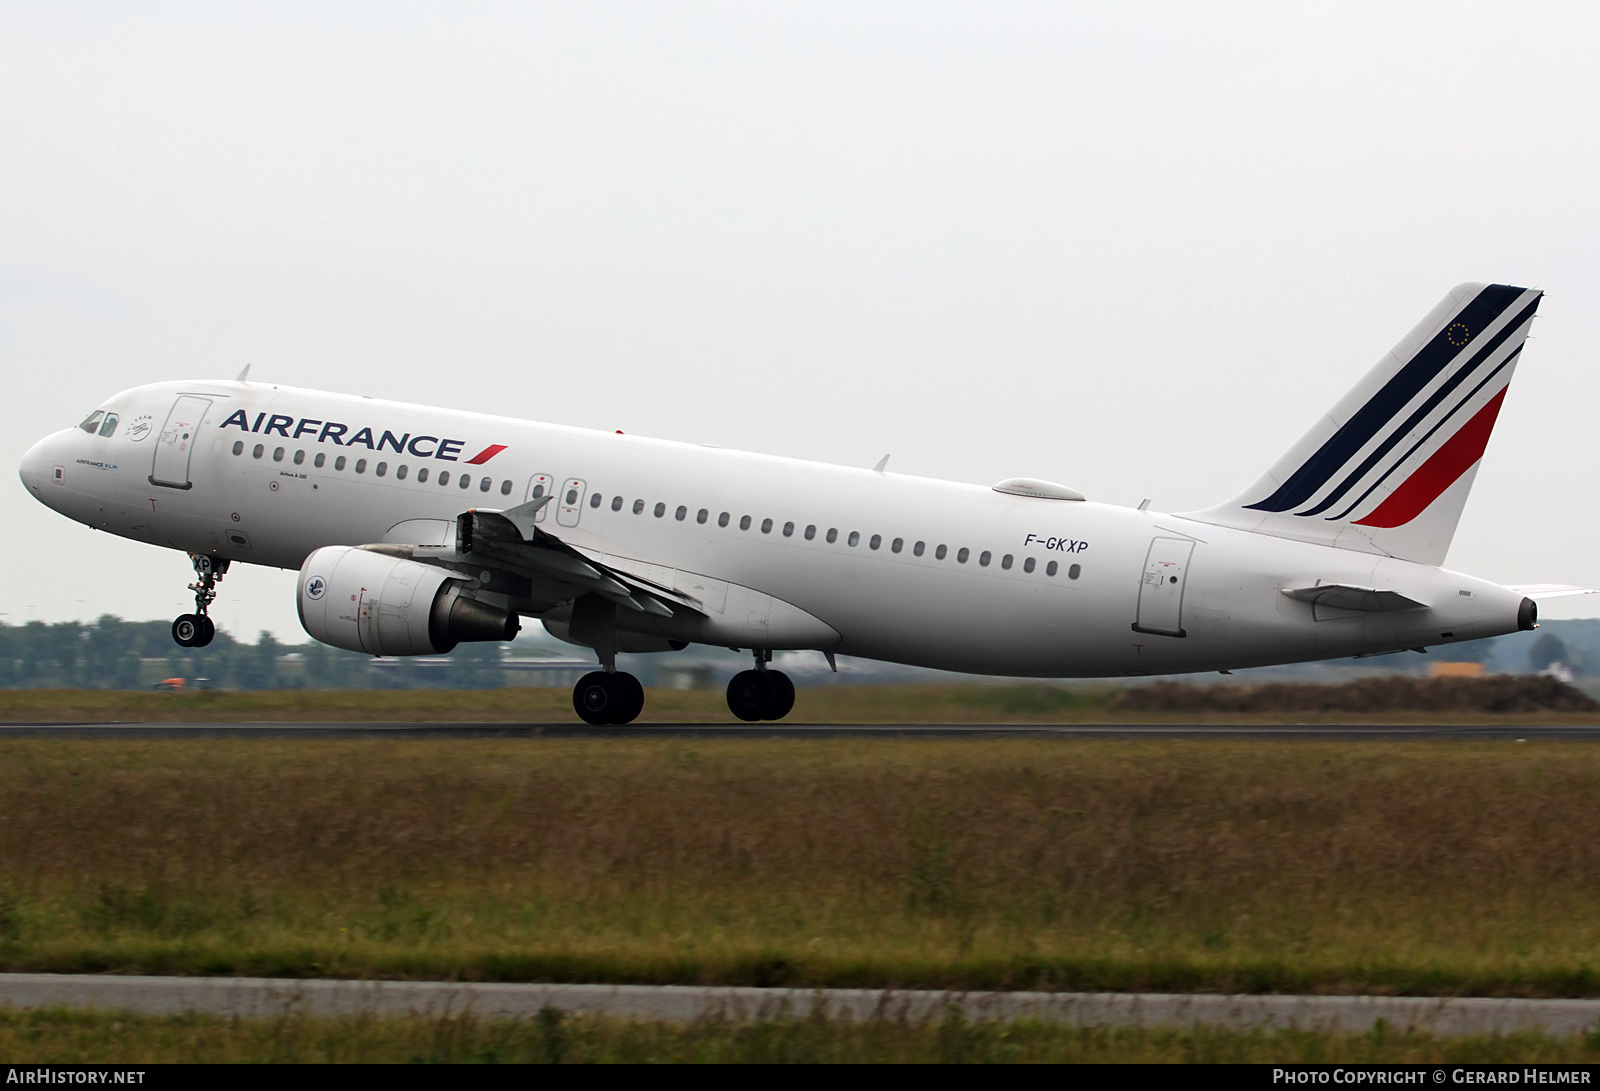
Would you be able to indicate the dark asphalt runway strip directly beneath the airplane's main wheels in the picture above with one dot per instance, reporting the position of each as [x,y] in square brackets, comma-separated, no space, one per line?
[1233,732]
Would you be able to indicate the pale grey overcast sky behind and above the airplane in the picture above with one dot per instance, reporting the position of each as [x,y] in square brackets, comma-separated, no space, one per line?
[1135,249]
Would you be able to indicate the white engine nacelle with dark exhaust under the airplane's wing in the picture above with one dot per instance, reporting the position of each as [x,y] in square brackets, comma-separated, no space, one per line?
[382,605]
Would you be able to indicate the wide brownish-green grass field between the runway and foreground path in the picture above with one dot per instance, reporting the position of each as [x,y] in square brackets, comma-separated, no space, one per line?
[1422,868]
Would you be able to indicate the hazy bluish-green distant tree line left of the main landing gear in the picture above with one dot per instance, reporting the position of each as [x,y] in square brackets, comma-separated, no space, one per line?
[116,655]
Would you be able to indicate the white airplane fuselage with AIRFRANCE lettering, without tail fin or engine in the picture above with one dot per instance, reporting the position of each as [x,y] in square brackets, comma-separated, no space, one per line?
[1004,585]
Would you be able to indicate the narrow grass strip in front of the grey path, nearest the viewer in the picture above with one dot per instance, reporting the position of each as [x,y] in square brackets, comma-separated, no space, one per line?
[63,1037]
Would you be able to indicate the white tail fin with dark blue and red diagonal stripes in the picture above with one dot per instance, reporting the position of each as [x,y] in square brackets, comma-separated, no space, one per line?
[1390,468]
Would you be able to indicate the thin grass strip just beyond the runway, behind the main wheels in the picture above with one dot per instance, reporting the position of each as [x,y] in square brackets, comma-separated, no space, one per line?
[820,705]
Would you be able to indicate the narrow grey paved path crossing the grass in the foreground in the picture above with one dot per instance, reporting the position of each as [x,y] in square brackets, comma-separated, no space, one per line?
[271,997]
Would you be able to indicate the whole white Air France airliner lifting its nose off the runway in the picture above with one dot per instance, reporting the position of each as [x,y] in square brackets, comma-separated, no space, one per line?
[417,529]
